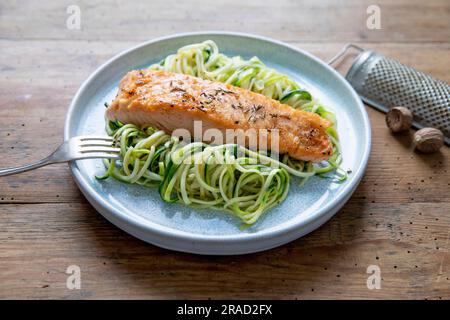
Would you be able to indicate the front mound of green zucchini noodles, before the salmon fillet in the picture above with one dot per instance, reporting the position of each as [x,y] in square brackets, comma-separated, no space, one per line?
[198,174]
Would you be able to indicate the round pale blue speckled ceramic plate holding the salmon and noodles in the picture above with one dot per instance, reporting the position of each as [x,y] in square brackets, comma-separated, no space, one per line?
[140,211]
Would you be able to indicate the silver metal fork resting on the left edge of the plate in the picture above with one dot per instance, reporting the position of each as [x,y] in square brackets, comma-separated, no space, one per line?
[82,147]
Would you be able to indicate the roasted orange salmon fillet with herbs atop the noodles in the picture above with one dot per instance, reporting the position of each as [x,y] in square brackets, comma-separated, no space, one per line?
[171,101]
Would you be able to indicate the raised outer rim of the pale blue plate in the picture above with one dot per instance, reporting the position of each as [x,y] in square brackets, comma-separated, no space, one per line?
[180,240]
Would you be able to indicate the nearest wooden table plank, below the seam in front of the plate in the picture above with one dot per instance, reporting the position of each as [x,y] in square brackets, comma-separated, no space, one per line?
[41,241]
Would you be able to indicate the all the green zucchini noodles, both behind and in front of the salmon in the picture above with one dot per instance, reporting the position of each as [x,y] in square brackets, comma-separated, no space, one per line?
[226,177]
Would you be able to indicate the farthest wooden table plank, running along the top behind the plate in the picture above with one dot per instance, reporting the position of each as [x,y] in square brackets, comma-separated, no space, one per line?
[322,21]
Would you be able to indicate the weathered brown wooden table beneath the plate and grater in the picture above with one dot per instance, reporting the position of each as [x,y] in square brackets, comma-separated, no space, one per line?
[398,219]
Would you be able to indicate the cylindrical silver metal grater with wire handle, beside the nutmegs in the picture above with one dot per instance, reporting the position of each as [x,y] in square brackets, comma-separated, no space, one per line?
[384,83]
